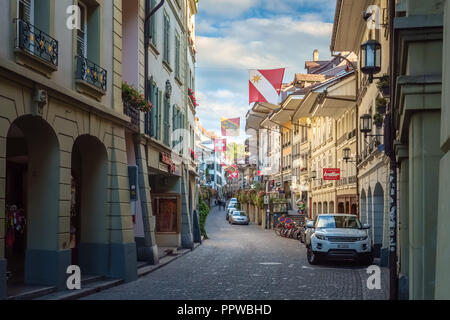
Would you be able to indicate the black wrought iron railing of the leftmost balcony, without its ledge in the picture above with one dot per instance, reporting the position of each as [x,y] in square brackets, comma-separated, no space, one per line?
[36,42]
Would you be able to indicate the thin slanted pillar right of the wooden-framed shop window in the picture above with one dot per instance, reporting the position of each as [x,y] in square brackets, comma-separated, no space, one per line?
[187,241]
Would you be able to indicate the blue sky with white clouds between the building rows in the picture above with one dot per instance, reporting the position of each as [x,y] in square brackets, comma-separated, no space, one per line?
[233,36]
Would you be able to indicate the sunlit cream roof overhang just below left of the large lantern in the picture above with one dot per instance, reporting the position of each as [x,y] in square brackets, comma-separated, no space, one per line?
[337,99]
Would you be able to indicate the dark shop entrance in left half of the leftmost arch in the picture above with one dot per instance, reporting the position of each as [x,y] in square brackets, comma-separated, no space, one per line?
[15,202]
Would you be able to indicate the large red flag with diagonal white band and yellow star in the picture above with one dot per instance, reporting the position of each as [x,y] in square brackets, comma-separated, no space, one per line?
[265,85]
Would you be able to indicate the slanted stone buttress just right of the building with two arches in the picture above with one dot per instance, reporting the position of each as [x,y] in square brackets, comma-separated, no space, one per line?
[147,250]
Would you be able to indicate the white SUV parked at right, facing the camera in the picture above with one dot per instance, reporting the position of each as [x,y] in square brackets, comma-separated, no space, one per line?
[338,236]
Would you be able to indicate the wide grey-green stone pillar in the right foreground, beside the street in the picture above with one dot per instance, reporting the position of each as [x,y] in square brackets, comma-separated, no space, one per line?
[424,155]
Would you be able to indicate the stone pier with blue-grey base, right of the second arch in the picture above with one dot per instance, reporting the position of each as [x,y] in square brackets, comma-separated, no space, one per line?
[122,258]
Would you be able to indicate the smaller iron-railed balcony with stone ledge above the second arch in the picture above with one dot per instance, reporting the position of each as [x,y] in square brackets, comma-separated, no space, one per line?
[90,78]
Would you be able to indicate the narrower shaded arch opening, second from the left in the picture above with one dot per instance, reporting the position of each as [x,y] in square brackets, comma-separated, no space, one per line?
[89,220]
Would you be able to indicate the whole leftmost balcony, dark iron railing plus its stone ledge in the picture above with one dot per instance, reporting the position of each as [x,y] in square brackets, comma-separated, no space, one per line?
[35,48]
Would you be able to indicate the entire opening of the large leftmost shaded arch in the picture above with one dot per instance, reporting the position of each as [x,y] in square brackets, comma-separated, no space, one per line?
[31,201]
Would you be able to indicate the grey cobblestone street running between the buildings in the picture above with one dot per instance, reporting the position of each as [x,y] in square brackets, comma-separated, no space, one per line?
[247,262]
